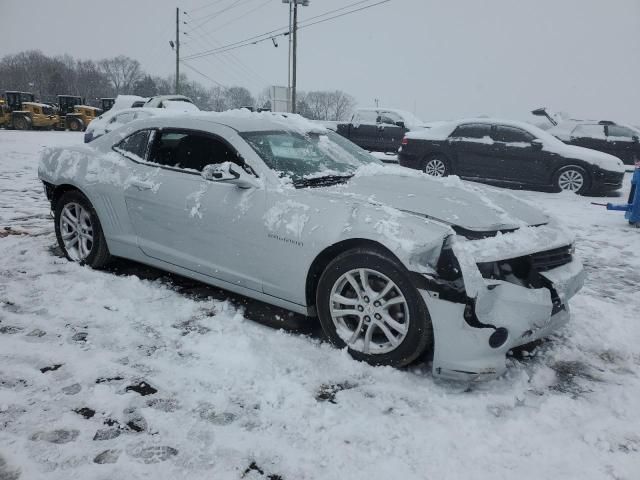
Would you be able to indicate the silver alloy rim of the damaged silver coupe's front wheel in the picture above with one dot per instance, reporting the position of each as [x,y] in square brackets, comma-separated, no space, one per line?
[369,311]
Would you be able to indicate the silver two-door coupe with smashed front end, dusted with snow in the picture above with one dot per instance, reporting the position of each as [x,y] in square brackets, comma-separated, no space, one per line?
[396,265]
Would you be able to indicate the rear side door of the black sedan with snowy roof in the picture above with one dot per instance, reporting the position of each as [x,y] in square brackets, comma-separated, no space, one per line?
[472,148]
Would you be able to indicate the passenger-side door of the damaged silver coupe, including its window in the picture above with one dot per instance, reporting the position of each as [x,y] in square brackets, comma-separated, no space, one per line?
[208,227]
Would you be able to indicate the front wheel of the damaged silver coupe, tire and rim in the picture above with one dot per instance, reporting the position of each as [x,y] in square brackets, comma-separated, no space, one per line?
[411,326]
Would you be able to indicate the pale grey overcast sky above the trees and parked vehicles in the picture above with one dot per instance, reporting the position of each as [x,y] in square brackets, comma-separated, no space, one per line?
[440,59]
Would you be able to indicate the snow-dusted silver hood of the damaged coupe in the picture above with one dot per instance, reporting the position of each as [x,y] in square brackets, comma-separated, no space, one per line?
[475,209]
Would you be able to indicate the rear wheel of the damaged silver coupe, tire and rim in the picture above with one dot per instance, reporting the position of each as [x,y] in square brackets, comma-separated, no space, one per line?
[73,212]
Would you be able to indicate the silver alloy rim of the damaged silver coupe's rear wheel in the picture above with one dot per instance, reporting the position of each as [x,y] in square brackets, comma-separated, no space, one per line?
[76,231]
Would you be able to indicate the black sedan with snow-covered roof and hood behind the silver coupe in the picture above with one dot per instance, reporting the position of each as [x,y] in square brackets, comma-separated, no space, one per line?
[509,153]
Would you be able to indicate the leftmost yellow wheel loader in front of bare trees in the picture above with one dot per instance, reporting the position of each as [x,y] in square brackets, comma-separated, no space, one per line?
[19,110]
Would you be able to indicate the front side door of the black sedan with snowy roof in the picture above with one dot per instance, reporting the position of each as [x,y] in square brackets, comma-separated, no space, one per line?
[521,160]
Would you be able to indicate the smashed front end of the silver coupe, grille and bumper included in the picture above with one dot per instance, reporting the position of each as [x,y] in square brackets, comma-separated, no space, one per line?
[490,296]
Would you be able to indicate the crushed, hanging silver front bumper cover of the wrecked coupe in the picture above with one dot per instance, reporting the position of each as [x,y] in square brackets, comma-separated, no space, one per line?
[503,316]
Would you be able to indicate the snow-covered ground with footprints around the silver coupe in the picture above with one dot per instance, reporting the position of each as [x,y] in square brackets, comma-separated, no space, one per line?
[130,373]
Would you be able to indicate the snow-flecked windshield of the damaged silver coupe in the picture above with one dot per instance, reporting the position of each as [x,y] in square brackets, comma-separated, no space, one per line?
[312,155]
